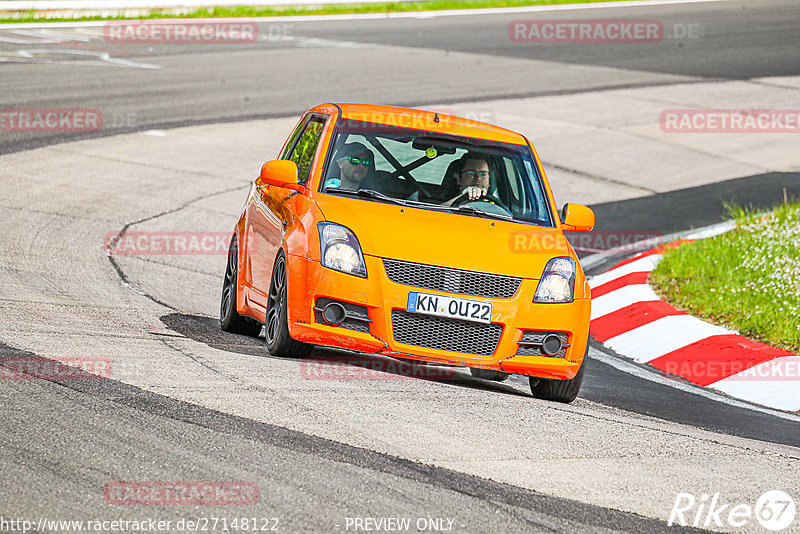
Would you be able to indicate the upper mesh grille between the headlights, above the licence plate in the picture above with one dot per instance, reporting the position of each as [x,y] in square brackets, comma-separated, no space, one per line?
[451,280]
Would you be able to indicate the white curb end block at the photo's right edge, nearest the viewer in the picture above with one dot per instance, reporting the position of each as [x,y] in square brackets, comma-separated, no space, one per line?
[775,383]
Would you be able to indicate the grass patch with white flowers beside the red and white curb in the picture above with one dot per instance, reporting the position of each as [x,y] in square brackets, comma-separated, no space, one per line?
[747,279]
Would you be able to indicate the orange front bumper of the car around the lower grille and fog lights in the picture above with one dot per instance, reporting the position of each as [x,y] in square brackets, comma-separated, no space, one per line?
[309,281]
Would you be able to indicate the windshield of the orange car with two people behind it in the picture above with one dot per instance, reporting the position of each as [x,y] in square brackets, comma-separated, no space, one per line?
[434,170]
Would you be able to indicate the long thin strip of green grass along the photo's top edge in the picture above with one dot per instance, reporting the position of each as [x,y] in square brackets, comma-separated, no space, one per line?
[256,11]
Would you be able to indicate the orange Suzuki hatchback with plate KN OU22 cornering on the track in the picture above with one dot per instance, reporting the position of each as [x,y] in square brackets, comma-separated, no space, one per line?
[416,235]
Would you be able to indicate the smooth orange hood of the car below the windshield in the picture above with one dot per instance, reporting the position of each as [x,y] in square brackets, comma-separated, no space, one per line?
[446,239]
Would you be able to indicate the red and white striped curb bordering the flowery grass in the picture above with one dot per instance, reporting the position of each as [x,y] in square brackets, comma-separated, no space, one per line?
[629,318]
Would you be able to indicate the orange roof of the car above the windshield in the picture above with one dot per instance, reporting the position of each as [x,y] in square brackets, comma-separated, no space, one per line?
[426,120]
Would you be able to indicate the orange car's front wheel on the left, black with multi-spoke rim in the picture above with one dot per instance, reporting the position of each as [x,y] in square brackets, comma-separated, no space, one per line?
[279,342]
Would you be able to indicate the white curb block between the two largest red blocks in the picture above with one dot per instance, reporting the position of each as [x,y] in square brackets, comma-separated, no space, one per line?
[662,336]
